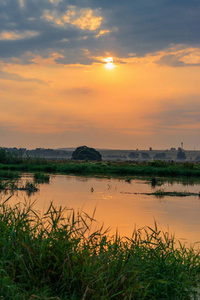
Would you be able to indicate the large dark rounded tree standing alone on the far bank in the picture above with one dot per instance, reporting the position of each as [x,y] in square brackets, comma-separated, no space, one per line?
[86,153]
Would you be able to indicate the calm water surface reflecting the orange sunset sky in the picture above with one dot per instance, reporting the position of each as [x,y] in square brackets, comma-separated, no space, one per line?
[118,207]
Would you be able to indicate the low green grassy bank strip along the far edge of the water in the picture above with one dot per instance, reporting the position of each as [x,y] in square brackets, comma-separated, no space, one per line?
[153,168]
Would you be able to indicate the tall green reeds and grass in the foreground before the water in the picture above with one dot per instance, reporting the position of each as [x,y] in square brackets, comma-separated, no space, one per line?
[50,256]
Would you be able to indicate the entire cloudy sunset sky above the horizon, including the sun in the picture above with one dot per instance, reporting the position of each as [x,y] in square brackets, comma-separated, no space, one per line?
[106,74]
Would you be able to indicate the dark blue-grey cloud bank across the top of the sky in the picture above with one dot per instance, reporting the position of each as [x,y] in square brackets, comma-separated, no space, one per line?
[141,27]
